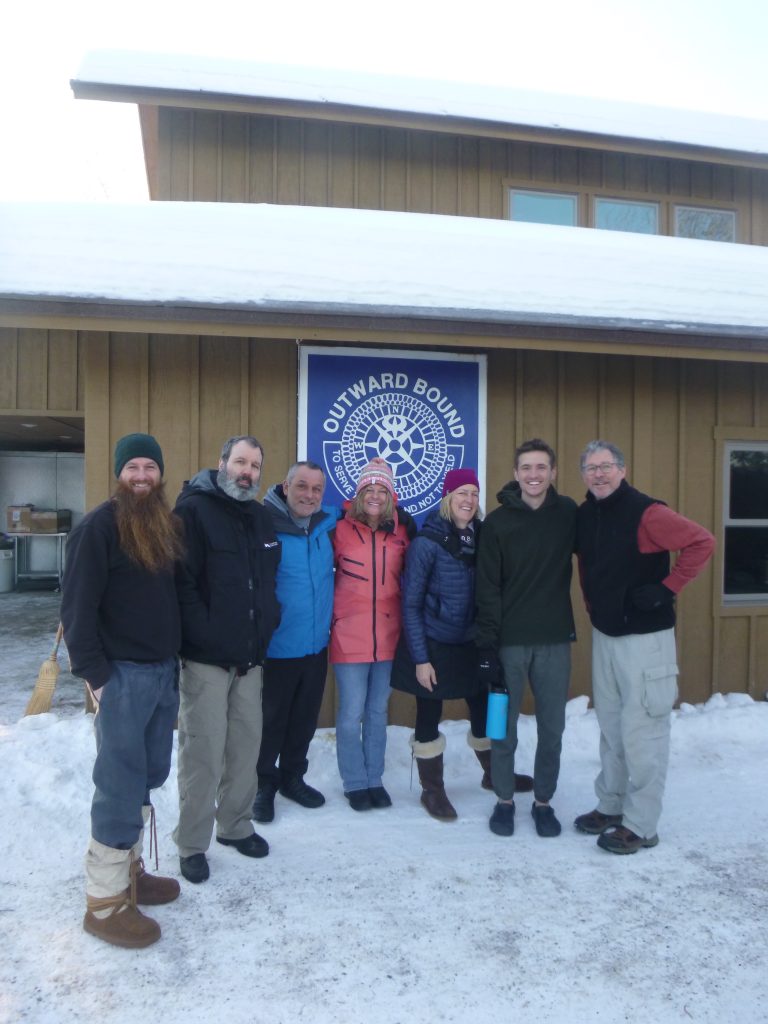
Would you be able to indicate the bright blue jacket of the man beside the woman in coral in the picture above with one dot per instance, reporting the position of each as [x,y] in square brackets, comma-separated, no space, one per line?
[306,580]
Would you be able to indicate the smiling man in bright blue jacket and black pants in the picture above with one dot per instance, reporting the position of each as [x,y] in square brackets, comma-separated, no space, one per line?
[297,659]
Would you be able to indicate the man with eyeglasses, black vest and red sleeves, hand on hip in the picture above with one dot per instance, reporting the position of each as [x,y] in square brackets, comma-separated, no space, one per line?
[624,541]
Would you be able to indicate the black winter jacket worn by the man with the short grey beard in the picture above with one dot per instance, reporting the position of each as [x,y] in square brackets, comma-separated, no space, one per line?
[227,586]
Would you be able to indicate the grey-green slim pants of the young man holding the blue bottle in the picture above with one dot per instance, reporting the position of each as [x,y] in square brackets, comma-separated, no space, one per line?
[547,669]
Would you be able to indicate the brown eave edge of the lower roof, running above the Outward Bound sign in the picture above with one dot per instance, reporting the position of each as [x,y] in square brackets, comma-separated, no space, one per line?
[336,322]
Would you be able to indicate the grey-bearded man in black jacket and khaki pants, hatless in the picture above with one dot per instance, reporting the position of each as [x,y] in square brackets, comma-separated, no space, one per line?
[230,610]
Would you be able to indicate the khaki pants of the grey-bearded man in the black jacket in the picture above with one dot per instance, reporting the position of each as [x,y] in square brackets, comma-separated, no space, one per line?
[220,735]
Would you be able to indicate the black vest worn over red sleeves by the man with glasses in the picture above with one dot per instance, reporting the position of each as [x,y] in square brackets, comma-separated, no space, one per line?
[613,566]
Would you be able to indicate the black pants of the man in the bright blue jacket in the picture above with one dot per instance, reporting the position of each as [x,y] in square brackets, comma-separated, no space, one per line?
[291,702]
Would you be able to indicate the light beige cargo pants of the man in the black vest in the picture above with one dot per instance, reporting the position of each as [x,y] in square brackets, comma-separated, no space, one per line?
[634,685]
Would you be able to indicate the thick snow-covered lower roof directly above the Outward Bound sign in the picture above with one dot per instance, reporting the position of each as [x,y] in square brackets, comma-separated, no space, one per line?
[300,262]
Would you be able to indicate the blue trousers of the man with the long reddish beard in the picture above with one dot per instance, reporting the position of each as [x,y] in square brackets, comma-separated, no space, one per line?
[135,741]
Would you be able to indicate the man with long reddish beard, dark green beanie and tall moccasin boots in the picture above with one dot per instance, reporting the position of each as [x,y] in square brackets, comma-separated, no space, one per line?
[122,630]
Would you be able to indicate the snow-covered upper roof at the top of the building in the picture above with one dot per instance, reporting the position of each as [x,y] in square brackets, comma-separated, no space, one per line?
[135,76]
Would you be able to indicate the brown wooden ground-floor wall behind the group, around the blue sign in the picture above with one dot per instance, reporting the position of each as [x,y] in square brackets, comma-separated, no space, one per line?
[668,415]
